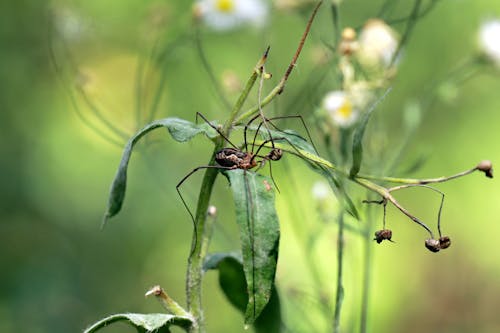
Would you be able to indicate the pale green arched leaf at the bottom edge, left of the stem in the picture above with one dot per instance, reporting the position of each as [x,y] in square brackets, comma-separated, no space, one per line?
[154,322]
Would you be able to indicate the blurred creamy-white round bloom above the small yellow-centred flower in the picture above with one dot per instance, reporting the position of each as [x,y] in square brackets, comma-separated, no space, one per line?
[378,43]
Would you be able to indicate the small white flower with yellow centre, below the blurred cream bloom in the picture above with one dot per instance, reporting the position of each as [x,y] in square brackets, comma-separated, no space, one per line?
[340,108]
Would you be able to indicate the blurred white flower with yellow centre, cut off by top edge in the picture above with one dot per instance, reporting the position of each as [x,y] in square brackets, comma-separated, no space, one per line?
[228,14]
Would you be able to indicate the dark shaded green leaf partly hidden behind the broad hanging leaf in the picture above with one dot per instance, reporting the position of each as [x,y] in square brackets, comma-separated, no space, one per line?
[233,284]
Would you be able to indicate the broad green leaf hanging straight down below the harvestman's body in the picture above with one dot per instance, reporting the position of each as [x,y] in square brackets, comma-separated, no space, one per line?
[259,233]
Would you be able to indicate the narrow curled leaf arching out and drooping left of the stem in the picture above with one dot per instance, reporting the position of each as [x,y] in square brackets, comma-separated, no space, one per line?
[180,130]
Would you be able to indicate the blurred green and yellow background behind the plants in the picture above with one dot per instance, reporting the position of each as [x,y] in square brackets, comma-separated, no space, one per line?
[60,273]
